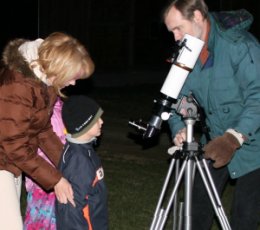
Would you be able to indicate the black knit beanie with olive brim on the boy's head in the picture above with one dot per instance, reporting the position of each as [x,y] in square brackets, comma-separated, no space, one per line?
[79,114]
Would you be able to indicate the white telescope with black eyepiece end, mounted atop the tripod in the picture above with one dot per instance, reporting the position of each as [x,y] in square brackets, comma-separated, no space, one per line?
[185,55]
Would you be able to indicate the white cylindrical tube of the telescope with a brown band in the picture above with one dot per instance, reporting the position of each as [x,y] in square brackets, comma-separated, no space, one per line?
[182,66]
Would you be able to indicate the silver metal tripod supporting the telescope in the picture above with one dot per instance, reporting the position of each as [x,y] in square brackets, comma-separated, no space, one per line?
[192,160]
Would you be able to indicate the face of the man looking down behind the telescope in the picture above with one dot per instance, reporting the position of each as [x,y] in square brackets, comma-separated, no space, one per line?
[179,26]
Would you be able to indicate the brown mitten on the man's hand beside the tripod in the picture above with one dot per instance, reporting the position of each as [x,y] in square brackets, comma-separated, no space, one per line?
[221,149]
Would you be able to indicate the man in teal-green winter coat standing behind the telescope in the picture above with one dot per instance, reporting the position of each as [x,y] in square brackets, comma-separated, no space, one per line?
[226,83]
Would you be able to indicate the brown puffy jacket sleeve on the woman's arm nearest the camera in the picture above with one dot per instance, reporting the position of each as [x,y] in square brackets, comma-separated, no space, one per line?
[15,123]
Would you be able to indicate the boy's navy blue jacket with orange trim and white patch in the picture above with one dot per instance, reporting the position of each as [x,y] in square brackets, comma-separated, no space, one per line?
[81,166]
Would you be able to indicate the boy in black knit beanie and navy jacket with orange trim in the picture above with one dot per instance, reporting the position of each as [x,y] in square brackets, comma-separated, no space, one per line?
[81,166]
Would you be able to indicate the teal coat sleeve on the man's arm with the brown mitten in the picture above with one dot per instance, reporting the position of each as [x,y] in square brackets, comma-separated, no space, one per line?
[246,66]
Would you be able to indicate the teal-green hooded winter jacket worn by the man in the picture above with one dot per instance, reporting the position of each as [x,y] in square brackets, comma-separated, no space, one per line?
[228,88]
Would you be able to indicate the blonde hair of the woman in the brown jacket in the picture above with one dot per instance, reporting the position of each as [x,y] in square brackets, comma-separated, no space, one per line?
[63,57]
